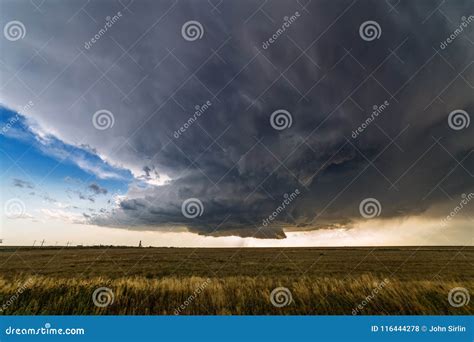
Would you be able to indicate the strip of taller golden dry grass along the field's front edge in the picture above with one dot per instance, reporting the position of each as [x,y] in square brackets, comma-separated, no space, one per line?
[231,295]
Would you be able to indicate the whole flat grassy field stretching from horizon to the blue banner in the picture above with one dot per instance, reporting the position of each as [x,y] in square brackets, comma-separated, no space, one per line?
[114,280]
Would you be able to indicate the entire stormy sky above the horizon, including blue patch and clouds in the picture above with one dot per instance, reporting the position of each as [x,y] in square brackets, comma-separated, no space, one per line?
[262,123]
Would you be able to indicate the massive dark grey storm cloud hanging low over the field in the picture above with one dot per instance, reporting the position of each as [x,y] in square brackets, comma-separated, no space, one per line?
[227,154]
